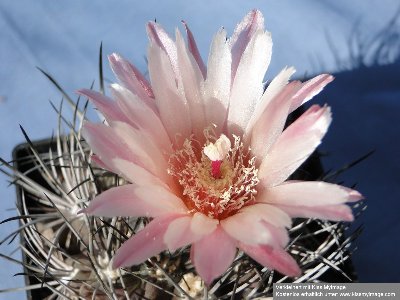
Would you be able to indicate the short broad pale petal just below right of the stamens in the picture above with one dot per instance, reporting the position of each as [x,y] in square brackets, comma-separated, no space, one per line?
[251,227]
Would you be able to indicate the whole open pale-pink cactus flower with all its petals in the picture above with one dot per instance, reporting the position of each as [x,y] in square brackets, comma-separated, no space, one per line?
[206,153]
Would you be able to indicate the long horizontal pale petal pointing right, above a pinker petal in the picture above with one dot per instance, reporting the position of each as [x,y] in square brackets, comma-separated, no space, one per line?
[308,193]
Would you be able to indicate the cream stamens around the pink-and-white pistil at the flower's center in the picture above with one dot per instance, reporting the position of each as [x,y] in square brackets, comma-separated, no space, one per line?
[216,179]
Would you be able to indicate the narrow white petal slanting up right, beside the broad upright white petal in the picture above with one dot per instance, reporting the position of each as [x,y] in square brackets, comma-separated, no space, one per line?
[274,88]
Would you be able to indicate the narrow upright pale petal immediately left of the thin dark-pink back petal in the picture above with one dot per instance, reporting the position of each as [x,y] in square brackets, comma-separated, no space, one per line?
[192,80]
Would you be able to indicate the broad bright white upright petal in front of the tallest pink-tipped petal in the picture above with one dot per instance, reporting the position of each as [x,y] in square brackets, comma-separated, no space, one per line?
[252,67]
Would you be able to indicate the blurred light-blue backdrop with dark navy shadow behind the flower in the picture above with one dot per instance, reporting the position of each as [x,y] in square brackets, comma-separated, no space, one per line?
[358,41]
